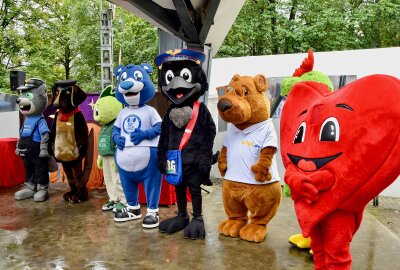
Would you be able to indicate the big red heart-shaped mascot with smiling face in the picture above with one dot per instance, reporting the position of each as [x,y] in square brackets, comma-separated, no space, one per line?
[340,150]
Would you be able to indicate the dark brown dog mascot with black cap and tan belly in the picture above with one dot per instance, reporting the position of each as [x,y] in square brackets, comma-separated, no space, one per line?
[69,137]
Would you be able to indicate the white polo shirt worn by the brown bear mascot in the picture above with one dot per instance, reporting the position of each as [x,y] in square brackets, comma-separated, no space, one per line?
[243,151]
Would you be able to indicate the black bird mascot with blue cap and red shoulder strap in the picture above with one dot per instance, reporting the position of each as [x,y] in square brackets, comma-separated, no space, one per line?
[182,80]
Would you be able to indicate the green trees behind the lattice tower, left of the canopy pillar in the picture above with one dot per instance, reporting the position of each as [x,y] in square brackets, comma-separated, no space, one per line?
[59,39]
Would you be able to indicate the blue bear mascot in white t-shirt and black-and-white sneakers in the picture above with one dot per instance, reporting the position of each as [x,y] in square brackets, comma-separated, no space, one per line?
[136,133]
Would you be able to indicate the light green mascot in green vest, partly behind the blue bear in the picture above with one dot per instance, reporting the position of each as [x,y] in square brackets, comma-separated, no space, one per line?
[105,112]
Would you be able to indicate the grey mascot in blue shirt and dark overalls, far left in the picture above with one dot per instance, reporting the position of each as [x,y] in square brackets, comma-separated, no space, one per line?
[33,142]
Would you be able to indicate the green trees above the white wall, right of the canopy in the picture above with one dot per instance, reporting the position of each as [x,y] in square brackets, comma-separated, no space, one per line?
[282,26]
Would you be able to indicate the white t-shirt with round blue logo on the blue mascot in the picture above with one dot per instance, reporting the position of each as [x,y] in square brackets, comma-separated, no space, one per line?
[142,118]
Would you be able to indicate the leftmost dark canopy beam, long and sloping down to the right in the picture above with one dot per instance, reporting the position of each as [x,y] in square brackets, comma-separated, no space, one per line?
[165,17]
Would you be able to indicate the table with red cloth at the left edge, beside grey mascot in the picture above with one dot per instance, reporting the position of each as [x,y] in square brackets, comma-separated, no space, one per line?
[12,170]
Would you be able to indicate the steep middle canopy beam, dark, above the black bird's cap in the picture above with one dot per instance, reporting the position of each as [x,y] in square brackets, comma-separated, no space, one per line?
[186,14]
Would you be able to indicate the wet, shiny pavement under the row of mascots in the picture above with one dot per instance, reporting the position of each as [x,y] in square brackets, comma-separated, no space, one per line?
[58,235]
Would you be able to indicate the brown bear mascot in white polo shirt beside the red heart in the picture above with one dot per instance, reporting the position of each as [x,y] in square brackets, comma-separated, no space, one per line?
[251,180]
